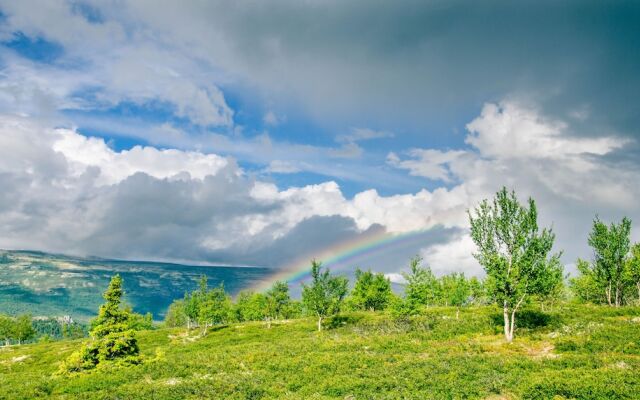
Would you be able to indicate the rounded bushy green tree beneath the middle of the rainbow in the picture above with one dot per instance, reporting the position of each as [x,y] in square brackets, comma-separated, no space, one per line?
[372,291]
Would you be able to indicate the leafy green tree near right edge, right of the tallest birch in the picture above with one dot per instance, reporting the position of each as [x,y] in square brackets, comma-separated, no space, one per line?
[610,246]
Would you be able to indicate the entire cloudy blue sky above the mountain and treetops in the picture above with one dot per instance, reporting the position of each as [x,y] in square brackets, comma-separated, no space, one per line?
[259,132]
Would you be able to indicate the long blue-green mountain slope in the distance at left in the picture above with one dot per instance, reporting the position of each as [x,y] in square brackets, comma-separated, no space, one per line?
[56,285]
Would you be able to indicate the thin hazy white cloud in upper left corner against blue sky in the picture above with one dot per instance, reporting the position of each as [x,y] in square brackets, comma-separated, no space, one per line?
[110,60]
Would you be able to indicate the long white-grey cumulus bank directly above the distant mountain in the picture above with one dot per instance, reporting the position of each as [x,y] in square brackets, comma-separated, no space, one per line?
[66,192]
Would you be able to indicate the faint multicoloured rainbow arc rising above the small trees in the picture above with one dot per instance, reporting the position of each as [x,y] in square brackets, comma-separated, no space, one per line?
[343,255]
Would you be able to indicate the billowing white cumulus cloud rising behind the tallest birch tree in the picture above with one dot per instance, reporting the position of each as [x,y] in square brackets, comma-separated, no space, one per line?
[512,145]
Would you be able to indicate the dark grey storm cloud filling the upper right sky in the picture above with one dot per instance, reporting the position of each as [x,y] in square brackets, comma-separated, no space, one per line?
[405,63]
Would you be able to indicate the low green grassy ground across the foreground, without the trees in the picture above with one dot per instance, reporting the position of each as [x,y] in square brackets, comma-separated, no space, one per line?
[582,352]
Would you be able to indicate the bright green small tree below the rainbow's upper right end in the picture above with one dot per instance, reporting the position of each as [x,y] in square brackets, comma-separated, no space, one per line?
[422,288]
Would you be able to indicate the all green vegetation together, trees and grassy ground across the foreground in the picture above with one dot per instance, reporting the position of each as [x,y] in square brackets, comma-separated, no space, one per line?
[440,339]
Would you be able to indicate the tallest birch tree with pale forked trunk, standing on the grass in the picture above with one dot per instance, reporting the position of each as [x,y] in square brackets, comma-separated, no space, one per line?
[513,252]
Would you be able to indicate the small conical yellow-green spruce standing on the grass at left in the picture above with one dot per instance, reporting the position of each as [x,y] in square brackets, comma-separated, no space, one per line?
[113,336]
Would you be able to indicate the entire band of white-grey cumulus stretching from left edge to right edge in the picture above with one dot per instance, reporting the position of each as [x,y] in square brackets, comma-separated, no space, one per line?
[66,192]
